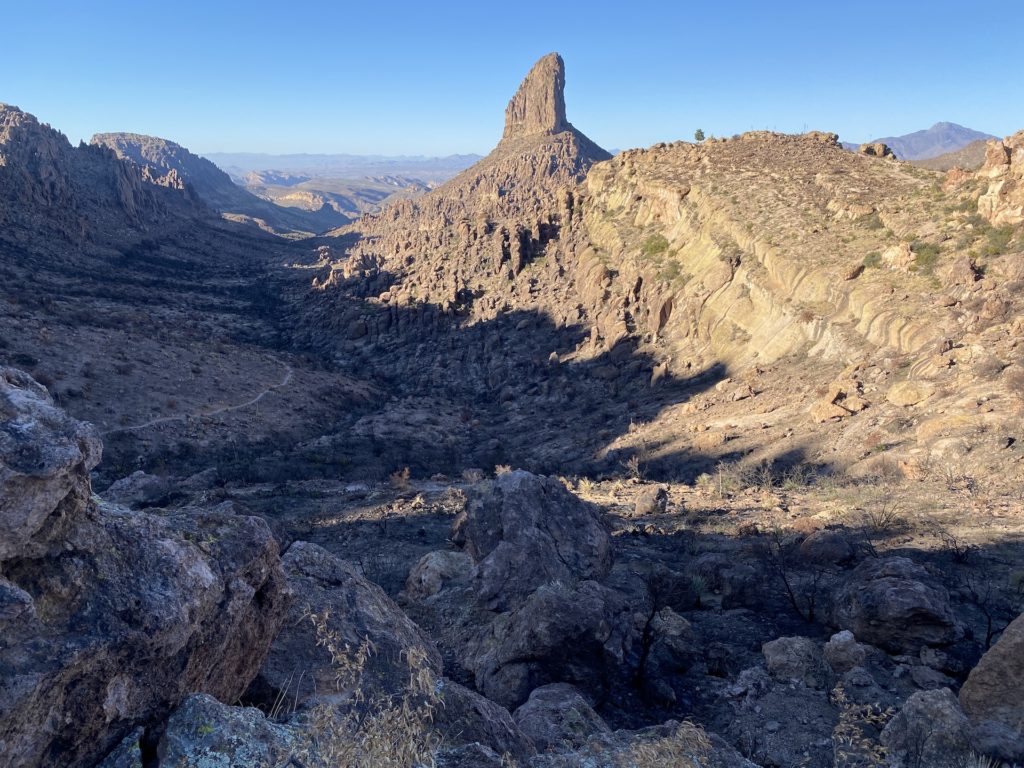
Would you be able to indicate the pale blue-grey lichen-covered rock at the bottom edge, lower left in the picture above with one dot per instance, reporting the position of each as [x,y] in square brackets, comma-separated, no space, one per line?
[205,733]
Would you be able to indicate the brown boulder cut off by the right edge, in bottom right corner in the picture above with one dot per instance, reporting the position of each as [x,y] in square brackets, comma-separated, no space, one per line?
[994,696]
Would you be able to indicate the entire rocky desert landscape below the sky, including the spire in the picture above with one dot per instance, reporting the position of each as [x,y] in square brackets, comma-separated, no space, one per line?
[707,454]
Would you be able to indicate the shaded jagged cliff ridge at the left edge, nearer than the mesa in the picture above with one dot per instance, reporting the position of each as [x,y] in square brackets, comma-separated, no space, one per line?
[80,194]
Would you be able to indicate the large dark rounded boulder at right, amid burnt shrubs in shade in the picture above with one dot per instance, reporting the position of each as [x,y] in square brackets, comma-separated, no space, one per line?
[894,605]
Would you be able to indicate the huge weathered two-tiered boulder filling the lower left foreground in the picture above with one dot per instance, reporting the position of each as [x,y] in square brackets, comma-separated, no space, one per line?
[110,618]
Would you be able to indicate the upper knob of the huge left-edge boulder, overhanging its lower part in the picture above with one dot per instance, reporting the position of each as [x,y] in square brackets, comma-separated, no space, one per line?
[46,458]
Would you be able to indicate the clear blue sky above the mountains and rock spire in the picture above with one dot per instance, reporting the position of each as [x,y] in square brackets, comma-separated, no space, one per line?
[434,77]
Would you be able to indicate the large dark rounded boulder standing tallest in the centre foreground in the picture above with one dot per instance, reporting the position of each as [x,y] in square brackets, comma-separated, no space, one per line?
[524,531]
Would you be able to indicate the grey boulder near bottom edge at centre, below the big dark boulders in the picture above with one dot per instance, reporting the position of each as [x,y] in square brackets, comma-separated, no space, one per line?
[559,716]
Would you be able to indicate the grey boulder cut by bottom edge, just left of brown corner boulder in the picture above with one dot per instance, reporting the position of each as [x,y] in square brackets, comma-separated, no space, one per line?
[930,731]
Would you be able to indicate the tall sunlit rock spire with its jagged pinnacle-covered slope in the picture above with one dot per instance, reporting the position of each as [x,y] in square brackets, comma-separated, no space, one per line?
[481,231]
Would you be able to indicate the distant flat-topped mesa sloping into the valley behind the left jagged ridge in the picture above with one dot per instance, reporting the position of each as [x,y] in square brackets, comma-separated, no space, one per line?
[167,164]
